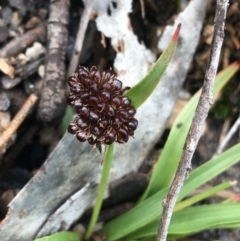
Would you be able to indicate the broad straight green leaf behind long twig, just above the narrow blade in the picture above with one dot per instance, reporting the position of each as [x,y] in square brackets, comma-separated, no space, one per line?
[151,208]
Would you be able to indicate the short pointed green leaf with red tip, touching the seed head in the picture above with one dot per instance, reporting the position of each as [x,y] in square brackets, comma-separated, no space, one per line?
[141,91]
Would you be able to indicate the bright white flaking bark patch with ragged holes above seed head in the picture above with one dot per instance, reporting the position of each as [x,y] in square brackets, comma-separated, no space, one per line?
[133,60]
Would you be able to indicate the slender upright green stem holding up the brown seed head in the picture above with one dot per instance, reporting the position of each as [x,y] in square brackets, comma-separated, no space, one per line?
[107,163]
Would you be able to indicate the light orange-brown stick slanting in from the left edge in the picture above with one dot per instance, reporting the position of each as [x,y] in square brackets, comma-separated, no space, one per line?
[17,120]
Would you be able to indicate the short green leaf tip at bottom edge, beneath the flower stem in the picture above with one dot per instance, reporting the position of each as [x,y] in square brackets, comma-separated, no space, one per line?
[61,236]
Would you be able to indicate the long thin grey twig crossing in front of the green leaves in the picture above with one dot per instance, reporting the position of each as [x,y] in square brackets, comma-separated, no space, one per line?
[199,118]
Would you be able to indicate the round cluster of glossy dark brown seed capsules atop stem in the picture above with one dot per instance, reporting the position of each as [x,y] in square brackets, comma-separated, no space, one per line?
[104,115]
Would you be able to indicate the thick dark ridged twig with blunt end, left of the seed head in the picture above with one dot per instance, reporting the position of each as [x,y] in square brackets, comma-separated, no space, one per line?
[52,102]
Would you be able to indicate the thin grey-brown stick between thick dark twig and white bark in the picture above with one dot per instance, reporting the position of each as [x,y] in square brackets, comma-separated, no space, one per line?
[80,36]
